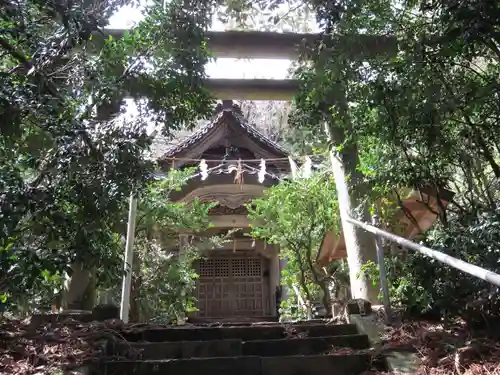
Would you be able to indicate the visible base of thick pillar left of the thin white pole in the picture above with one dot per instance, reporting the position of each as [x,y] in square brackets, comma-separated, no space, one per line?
[79,289]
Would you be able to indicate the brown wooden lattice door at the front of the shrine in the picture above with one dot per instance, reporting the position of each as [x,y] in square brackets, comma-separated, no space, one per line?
[232,284]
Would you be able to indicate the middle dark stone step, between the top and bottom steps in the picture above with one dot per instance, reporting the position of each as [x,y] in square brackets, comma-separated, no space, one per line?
[235,348]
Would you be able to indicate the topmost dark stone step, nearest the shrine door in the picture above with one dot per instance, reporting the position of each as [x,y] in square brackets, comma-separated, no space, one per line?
[244,333]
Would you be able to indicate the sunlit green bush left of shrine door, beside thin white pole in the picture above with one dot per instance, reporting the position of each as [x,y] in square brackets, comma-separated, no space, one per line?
[164,276]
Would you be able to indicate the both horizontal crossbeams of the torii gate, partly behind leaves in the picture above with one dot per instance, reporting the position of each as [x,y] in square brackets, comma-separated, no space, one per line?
[271,45]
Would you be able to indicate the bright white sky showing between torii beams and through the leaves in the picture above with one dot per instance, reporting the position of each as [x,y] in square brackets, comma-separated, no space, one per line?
[222,68]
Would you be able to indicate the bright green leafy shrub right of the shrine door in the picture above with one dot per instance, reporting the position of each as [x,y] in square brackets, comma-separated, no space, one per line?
[295,216]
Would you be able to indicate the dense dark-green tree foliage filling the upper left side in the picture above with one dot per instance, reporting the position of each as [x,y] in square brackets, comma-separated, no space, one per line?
[67,170]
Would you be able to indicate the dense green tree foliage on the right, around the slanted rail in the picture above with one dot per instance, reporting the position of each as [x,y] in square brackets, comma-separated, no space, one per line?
[427,115]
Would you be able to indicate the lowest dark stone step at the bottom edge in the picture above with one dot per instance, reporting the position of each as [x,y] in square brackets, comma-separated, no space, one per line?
[290,365]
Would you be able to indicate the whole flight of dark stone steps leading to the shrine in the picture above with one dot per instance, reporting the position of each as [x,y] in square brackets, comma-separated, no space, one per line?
[242,349]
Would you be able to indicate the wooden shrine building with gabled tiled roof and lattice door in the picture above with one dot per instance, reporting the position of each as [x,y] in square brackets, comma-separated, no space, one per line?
[241,279]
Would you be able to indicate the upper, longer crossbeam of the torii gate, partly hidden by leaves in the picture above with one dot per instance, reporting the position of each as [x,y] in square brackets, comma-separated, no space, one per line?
[272,45]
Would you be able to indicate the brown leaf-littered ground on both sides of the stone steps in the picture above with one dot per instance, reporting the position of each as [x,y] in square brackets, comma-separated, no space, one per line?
[58,348]
